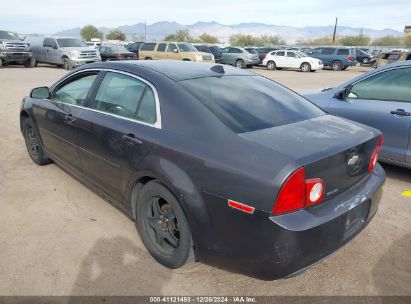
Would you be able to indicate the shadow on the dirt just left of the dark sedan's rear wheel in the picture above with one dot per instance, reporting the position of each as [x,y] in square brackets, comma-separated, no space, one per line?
[116,266]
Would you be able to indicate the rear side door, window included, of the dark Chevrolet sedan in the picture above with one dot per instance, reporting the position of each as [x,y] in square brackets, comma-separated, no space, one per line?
[117,130]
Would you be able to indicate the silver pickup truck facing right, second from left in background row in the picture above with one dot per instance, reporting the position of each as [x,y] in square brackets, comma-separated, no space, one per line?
[67,52]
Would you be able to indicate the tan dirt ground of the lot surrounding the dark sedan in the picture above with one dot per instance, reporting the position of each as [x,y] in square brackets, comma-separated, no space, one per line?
[59,238]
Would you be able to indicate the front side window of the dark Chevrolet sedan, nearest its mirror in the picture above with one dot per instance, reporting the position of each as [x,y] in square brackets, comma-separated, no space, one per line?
[75,91]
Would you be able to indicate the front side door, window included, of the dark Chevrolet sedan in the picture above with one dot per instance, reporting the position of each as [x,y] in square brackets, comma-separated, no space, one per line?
[57,117]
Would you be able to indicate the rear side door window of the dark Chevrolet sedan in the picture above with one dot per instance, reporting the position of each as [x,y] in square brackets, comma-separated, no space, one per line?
[126,96]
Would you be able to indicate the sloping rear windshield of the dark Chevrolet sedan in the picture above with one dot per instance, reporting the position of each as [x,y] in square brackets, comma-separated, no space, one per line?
[250,103]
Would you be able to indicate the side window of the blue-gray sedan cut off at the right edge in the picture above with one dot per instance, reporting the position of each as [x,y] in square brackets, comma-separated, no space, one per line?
[393,85]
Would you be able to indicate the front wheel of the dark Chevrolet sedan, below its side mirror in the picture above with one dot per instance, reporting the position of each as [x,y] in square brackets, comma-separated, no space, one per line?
[33,143]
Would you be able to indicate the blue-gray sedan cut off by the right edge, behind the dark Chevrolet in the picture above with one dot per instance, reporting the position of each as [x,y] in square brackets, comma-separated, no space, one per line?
[381,99]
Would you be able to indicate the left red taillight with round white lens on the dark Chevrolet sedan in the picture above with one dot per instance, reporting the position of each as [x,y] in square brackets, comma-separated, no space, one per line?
[298,193]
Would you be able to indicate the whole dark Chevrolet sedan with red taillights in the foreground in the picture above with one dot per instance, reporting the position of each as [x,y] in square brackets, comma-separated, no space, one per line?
[213,163]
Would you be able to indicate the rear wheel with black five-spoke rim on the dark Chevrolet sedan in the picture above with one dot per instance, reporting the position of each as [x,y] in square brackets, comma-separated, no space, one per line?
[163,226]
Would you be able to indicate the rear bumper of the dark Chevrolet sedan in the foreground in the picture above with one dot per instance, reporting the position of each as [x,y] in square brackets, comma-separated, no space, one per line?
[272,247]
